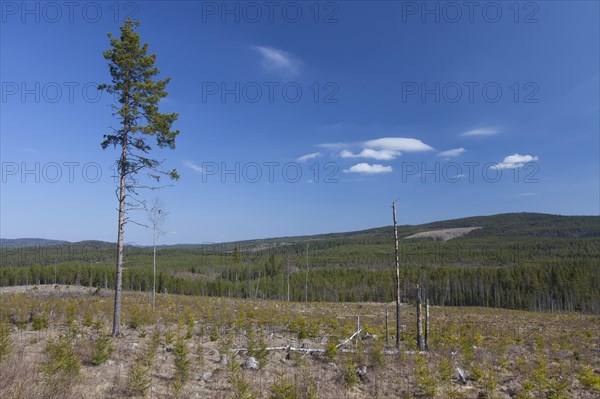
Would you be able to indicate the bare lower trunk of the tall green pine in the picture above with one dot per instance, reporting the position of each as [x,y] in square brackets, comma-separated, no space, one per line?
[119,266]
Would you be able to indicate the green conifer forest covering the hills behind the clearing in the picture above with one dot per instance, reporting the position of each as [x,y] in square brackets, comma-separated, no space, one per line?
[516,261]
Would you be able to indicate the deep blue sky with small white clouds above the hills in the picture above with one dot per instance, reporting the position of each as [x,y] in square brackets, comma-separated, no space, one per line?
[306,117]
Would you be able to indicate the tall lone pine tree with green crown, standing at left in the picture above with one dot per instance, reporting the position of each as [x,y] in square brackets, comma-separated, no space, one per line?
[138,93]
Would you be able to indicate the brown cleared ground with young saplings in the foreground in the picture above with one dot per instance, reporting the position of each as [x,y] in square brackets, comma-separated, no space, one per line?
[54,343]
